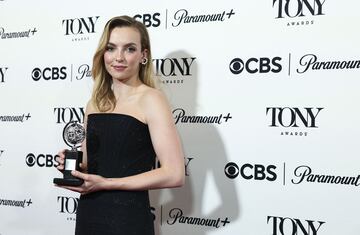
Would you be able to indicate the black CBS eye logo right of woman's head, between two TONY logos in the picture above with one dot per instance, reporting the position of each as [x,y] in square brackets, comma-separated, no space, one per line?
[256,65]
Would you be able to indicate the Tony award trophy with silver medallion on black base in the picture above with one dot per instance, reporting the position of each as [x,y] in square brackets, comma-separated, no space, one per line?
[73,135]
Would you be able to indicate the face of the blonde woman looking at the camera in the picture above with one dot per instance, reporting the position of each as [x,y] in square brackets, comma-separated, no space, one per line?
[123,54]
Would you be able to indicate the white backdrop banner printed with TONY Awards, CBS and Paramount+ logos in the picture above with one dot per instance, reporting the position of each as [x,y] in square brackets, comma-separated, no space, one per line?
[265,95]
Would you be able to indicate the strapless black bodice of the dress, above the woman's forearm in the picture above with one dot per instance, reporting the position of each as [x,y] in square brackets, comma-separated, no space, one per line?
[118,145]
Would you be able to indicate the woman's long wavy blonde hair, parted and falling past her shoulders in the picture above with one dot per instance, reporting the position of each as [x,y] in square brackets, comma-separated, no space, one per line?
[103,98]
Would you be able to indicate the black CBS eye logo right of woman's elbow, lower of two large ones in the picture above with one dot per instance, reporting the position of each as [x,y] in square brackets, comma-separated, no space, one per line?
[251,171]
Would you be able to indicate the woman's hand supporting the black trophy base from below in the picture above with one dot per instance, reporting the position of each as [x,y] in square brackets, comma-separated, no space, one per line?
[92,183]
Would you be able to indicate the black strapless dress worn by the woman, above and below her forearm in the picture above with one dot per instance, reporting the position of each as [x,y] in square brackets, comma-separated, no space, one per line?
[118,145]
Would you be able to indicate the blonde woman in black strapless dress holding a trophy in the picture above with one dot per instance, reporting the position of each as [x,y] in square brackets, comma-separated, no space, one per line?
[128,122]
